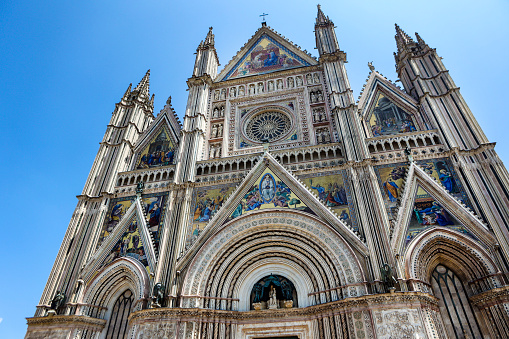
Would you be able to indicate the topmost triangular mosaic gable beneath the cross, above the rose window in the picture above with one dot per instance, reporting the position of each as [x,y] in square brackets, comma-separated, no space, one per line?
[265,52]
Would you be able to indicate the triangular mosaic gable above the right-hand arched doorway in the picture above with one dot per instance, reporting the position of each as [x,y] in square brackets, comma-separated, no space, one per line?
[425,195]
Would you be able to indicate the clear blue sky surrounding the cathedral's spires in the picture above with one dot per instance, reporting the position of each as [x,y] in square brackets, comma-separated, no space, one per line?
[64,64]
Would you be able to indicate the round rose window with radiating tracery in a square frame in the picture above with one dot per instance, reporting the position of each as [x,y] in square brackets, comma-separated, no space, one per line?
[268,126]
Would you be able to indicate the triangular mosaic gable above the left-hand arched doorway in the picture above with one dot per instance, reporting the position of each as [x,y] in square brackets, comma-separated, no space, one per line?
[131,238]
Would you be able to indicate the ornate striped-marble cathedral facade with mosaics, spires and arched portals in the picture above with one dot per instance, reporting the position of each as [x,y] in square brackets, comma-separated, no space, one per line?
[283,208]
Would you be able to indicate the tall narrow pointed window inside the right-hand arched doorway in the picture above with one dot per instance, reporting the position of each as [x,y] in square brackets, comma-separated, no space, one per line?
[457,314]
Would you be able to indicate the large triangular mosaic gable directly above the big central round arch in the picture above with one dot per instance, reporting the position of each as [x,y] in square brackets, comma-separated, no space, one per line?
[293,188]
